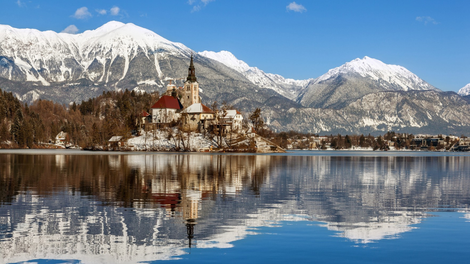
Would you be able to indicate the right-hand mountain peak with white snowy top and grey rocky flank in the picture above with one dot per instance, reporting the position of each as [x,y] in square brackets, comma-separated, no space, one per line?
[354,79]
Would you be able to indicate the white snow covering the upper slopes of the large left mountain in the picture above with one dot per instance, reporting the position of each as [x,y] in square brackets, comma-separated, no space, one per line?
[48,57]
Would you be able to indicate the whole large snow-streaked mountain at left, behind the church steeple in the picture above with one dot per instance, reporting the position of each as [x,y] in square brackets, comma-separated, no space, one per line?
[65,67]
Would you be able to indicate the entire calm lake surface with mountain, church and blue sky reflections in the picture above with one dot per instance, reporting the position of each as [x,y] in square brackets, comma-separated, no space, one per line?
[304,207]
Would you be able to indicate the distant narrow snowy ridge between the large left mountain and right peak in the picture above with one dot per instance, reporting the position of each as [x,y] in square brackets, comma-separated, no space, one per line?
[289,88]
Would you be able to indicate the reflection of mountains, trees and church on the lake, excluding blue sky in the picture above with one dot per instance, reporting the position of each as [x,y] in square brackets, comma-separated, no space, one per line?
[130,208]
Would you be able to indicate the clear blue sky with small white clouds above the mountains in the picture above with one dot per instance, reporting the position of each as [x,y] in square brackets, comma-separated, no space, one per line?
[300,40]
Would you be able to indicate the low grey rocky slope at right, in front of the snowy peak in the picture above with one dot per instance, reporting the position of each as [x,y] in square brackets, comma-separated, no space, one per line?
[403,111]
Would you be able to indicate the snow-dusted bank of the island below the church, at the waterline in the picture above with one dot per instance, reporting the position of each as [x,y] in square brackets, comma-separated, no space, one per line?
[160,140]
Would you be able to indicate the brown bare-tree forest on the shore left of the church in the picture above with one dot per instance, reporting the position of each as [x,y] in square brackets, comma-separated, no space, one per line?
[88,123]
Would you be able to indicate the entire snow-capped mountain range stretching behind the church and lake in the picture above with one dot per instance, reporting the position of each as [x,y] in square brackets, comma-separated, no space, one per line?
[361,96]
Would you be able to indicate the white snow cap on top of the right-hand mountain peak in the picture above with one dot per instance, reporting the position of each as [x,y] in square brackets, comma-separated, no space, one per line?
[397,77]
